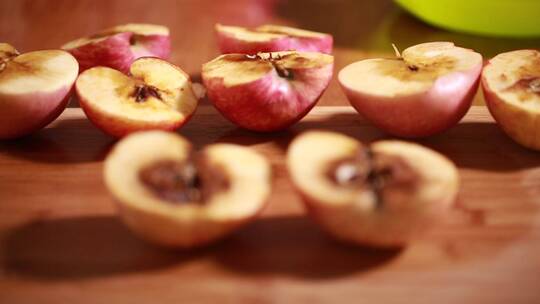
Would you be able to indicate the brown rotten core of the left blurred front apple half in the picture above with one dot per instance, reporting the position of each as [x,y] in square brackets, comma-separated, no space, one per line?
[184,182]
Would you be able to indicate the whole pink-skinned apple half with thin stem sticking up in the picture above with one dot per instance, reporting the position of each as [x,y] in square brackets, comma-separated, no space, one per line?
[425,90]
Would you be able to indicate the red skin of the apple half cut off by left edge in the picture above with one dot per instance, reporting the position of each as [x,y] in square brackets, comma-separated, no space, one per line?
[22,115]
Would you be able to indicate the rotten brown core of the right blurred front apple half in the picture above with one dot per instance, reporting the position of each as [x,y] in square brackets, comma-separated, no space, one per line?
[378,172]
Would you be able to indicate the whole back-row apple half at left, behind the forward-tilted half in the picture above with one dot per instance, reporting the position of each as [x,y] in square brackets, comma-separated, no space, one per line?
[119,46]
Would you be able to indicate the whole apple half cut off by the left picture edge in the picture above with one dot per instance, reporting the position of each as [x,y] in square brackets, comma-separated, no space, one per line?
[35,88]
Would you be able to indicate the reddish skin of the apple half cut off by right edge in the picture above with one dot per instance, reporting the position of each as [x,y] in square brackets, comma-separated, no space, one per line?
[518,124]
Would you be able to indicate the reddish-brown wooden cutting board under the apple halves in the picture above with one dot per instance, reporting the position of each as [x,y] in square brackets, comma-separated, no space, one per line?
[61,242]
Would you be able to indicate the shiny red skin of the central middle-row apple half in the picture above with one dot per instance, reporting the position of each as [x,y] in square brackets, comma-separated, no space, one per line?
[265,105]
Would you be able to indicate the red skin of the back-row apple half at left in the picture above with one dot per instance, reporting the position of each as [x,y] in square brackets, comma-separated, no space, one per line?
[115,51]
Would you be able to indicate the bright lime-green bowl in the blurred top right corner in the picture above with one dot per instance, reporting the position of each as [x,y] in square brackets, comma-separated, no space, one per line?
[509,18]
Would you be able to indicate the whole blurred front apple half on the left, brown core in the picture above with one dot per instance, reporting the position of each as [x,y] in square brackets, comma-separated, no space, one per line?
[174,196]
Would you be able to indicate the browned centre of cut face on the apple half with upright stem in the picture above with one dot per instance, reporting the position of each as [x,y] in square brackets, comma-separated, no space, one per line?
[426,71]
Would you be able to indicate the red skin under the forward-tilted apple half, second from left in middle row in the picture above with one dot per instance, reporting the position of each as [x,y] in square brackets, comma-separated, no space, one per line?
[119,128]
